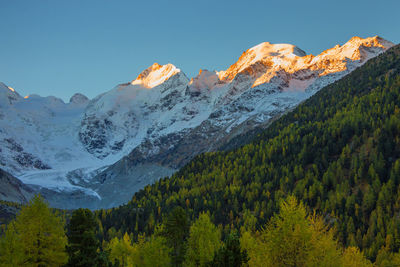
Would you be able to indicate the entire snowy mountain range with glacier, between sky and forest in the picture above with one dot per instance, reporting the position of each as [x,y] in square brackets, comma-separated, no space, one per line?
[97,153]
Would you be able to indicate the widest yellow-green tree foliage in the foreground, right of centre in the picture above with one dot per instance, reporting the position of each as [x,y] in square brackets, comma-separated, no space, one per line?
[294,238]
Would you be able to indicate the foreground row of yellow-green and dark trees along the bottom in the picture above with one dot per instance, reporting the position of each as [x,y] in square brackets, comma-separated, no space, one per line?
[293,237]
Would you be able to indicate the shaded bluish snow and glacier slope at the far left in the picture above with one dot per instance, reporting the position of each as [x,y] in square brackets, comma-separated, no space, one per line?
[39,139]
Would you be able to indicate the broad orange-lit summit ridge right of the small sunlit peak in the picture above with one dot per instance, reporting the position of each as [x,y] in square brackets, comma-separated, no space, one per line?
[263,62]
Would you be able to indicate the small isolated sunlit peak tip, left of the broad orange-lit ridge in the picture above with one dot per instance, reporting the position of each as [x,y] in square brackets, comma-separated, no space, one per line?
[155,75]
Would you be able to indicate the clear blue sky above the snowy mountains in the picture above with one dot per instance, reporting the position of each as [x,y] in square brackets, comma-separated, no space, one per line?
[59,47]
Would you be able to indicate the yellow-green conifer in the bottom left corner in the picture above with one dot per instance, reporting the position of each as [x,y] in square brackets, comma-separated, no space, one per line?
[35,238]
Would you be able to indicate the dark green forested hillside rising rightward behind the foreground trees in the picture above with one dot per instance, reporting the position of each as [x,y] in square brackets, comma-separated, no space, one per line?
[338,152]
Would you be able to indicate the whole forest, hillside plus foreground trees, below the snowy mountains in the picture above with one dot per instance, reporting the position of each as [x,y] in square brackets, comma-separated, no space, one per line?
[319,187]
